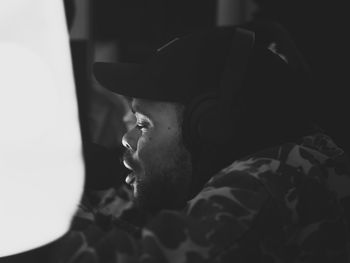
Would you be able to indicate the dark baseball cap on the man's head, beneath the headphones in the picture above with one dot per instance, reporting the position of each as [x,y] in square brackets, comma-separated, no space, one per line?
[191,65]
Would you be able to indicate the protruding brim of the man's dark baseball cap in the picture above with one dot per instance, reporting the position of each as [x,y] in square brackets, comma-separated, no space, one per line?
[126,79]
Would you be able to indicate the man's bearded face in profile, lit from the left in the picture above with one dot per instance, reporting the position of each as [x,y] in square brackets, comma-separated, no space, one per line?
[160,164]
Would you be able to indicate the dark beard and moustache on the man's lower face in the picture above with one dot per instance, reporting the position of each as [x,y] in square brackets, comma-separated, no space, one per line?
[166,181]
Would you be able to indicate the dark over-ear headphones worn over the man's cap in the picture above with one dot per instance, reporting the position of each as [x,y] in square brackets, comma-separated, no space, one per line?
[210,117]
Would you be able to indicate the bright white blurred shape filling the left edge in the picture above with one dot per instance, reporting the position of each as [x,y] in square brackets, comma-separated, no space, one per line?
[41,165]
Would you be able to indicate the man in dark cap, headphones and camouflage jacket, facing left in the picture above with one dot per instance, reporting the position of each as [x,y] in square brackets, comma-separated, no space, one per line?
[224,158]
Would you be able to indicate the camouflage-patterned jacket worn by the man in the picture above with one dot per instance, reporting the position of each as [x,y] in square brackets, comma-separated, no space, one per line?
[284,204]
